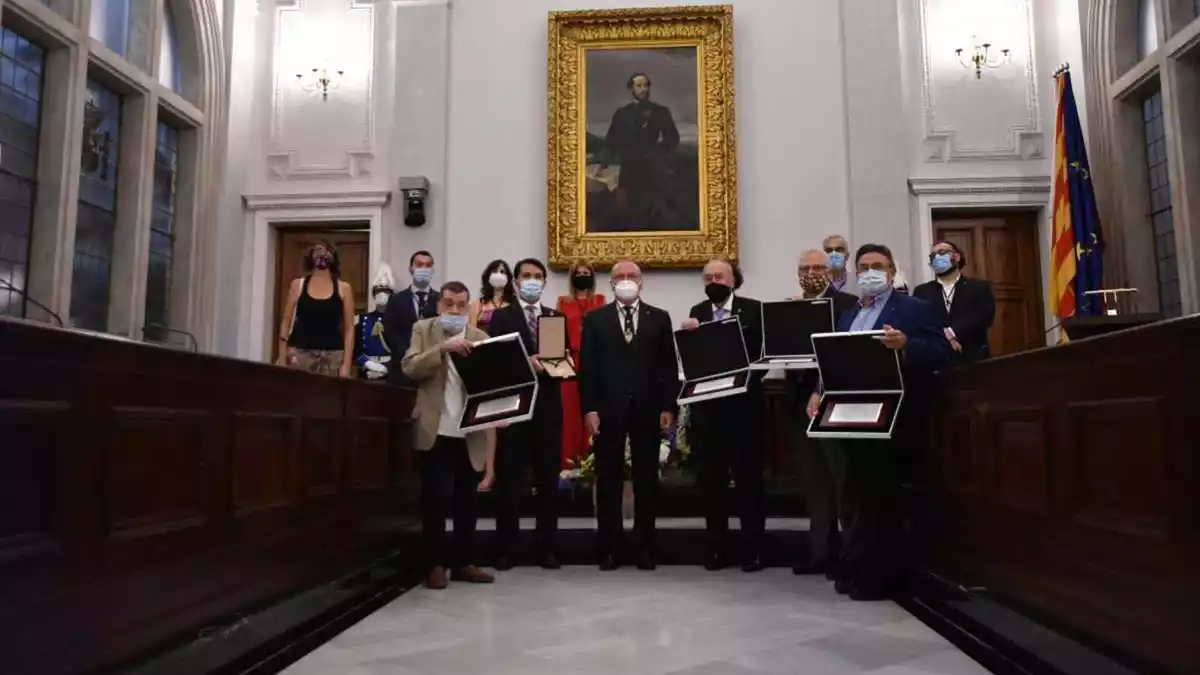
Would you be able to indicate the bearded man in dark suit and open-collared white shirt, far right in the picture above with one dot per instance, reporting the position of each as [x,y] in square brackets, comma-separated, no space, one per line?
[964,307]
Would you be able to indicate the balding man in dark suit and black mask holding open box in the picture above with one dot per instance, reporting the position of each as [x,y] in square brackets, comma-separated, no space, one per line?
[728,433]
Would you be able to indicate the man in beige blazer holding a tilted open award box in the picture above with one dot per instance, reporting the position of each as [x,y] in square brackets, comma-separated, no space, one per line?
[449,459]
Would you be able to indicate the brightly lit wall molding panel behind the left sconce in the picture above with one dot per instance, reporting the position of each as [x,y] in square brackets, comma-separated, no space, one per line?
[299,128]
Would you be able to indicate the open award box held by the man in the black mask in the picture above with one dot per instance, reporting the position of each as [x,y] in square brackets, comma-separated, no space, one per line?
[715,361]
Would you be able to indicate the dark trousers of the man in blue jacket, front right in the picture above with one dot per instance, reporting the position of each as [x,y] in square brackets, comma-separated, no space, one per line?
[868,477]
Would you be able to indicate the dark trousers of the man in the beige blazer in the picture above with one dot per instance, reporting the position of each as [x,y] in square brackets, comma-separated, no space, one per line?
[449,485]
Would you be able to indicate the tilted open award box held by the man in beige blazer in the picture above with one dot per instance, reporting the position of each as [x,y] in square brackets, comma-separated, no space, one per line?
[500,381]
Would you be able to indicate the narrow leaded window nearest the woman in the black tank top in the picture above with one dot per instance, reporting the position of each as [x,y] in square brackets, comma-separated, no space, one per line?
[163,234]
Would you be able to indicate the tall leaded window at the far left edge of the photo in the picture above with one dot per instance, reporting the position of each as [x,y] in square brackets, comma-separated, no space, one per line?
[22,64]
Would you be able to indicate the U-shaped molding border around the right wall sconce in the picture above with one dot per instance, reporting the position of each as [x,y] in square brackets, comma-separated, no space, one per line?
[1023,141]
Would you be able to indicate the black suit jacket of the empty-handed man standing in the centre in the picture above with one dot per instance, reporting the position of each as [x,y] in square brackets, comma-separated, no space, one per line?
[615,374]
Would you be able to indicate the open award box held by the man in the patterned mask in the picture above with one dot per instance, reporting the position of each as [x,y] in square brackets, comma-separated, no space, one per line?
[788,328]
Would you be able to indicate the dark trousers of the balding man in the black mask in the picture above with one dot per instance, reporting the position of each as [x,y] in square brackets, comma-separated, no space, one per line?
[729,441]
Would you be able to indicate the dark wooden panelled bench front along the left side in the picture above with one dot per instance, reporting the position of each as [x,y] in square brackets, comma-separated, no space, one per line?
[147,493]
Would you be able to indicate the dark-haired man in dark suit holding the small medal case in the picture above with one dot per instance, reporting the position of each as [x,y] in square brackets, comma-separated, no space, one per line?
[537,443]
